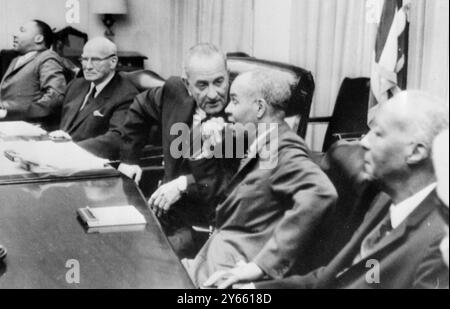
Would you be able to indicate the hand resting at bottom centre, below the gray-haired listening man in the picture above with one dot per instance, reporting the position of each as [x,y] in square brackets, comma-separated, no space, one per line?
[244,272]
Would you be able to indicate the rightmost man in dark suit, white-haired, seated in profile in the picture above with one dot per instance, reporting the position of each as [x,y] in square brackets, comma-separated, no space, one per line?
[397,245]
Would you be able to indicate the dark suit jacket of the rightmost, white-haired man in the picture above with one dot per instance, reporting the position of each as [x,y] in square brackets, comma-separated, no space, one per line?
[409,257]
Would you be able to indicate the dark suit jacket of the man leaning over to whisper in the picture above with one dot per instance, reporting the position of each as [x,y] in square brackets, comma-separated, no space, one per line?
[166,106]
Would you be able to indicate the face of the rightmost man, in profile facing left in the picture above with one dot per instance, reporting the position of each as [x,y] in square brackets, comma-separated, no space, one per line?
[387,146]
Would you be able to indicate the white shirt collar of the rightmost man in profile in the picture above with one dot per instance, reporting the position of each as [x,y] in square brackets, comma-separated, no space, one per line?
[402,210]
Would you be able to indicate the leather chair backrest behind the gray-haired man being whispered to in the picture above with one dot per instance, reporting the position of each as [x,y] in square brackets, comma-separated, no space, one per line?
[303,89]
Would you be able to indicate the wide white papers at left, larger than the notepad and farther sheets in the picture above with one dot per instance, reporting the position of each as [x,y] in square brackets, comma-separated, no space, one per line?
[48,156]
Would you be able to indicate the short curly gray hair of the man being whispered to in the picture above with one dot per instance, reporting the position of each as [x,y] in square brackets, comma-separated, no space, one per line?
[274,86]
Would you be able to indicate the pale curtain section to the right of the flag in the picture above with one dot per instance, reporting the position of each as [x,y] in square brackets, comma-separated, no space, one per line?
[428,68]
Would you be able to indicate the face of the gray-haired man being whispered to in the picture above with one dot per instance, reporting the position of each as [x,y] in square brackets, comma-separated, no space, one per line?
[242,108]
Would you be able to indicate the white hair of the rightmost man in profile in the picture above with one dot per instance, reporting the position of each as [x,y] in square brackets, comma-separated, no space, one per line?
[426,116]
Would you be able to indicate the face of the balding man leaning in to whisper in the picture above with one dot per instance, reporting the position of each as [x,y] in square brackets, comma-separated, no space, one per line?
[208,83]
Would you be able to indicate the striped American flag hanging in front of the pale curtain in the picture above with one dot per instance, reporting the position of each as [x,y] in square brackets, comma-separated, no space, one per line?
[389,69]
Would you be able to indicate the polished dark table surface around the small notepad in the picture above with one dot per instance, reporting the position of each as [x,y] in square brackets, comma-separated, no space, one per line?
[40,229]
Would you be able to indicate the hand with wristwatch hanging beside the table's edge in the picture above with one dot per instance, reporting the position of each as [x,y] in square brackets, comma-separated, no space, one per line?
[168,194]
